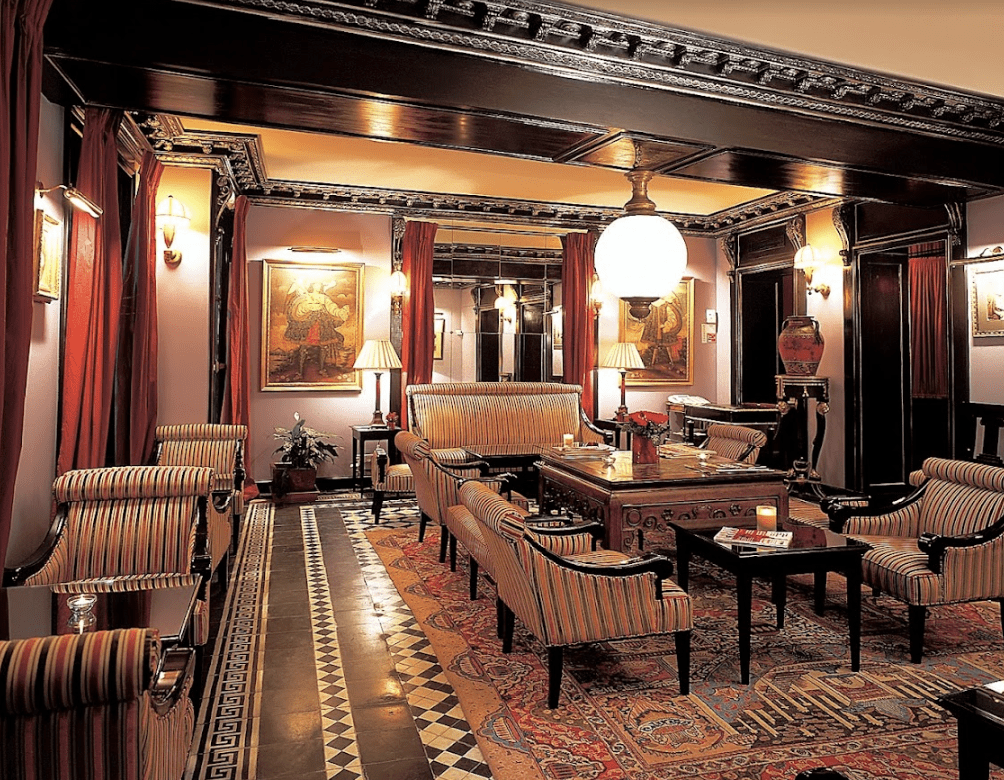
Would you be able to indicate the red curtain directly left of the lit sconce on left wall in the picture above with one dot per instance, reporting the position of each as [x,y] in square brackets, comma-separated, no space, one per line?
[136,370]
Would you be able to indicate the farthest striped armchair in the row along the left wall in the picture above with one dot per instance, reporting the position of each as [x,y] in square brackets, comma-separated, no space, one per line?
[219,447]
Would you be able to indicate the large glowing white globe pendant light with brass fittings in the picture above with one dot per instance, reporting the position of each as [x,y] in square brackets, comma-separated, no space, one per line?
[641,257]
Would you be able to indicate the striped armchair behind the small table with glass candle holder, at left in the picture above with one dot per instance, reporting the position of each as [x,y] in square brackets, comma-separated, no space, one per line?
[124,524]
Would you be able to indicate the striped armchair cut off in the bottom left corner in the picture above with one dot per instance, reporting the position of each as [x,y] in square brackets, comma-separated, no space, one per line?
[105,705]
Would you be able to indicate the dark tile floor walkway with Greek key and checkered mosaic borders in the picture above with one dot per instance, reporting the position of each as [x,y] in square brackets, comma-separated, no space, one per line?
[321,671]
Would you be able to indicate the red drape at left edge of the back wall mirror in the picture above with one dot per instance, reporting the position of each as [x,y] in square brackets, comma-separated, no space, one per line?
[418,246]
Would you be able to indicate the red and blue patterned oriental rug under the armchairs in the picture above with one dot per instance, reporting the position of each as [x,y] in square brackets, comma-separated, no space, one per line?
[622,716]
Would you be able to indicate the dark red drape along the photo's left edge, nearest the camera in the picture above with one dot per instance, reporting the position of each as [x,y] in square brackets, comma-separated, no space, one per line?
[21,91]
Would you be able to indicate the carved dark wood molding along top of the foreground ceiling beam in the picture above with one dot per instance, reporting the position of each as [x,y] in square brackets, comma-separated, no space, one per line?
[559,39]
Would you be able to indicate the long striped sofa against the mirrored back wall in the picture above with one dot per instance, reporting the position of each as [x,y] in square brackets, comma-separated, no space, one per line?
[454,415]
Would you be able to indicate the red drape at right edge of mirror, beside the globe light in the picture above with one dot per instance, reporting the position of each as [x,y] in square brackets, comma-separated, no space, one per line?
[579,317]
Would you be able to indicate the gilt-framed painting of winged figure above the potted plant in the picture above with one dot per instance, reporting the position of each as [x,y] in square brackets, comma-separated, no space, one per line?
[312,325]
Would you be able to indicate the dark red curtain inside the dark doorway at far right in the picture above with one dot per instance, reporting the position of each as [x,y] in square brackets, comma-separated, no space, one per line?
[929,321]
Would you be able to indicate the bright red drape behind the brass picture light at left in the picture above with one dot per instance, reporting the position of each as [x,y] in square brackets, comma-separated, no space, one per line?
[94,296]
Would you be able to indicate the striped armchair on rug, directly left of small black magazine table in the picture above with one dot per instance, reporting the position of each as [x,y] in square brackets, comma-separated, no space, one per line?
[577,599]
